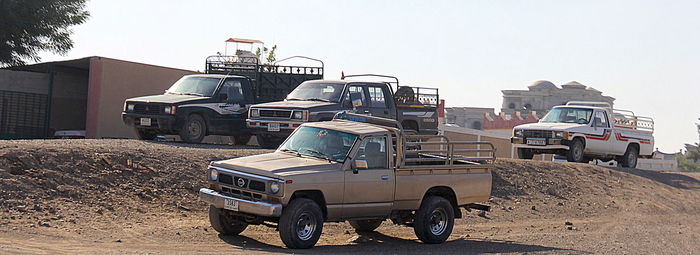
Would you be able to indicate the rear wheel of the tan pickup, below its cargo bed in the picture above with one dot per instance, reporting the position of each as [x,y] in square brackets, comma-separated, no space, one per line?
[434,220]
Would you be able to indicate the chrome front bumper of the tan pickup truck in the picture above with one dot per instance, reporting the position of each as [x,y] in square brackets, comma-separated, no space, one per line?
[245,206]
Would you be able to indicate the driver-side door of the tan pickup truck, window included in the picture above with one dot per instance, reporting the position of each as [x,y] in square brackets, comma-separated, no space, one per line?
[370,191]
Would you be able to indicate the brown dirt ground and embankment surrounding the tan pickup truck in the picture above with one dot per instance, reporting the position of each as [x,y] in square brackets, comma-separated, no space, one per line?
[124,196]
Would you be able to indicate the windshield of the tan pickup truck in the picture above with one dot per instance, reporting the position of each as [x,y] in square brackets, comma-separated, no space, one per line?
[321,143]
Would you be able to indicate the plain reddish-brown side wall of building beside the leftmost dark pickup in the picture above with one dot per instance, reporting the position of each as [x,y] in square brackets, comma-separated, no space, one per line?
[113,81]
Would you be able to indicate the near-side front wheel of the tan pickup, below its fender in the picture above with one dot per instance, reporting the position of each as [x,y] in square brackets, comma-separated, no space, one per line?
[301,224]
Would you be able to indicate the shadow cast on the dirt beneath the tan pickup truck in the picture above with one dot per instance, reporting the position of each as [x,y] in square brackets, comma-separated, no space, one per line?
[379,243]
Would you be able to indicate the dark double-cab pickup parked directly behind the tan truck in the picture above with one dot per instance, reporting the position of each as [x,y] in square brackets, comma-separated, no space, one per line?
[319,100]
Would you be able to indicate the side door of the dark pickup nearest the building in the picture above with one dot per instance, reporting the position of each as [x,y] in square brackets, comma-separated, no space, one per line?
[230,107]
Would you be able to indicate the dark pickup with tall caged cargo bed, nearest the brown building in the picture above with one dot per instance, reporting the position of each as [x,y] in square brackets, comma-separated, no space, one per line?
[215,103]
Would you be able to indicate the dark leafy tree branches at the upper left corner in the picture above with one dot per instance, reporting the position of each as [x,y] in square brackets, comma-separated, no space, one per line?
[28,27]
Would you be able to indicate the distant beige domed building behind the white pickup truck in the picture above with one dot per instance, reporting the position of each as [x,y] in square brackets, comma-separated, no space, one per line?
[543,95]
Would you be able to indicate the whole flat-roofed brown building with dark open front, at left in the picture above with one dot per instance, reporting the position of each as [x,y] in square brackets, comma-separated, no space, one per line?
[84,94]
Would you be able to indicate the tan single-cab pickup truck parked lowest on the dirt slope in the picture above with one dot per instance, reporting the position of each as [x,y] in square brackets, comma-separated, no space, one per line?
[354,168]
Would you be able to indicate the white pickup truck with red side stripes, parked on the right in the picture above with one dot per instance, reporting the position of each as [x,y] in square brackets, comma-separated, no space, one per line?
[584,131]
